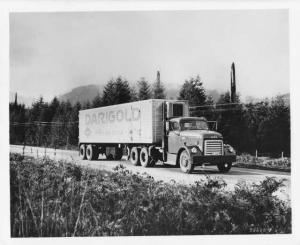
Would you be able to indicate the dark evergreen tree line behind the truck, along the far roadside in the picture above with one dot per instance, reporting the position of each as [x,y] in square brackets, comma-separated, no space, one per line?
[262,126]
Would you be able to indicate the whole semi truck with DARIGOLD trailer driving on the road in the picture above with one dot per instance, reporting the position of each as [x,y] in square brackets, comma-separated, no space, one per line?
[153,130]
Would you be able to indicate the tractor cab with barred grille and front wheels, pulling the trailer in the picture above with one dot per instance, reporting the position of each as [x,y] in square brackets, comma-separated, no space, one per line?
[190,143]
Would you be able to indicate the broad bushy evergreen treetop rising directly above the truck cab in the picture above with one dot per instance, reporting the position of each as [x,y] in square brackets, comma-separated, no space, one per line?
[193,91]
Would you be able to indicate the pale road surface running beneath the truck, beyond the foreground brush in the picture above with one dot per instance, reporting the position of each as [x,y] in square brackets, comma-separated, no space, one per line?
[161,172]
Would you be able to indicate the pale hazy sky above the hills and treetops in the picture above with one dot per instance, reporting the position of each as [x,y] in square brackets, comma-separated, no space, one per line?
[51,53]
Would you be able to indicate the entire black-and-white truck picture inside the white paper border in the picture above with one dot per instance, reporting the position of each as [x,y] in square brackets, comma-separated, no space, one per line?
[150,123]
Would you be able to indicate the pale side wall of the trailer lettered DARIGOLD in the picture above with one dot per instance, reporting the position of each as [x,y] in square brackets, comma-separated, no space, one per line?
[135,122]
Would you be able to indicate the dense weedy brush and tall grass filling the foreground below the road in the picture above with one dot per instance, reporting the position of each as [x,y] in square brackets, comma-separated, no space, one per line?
[50,198]
